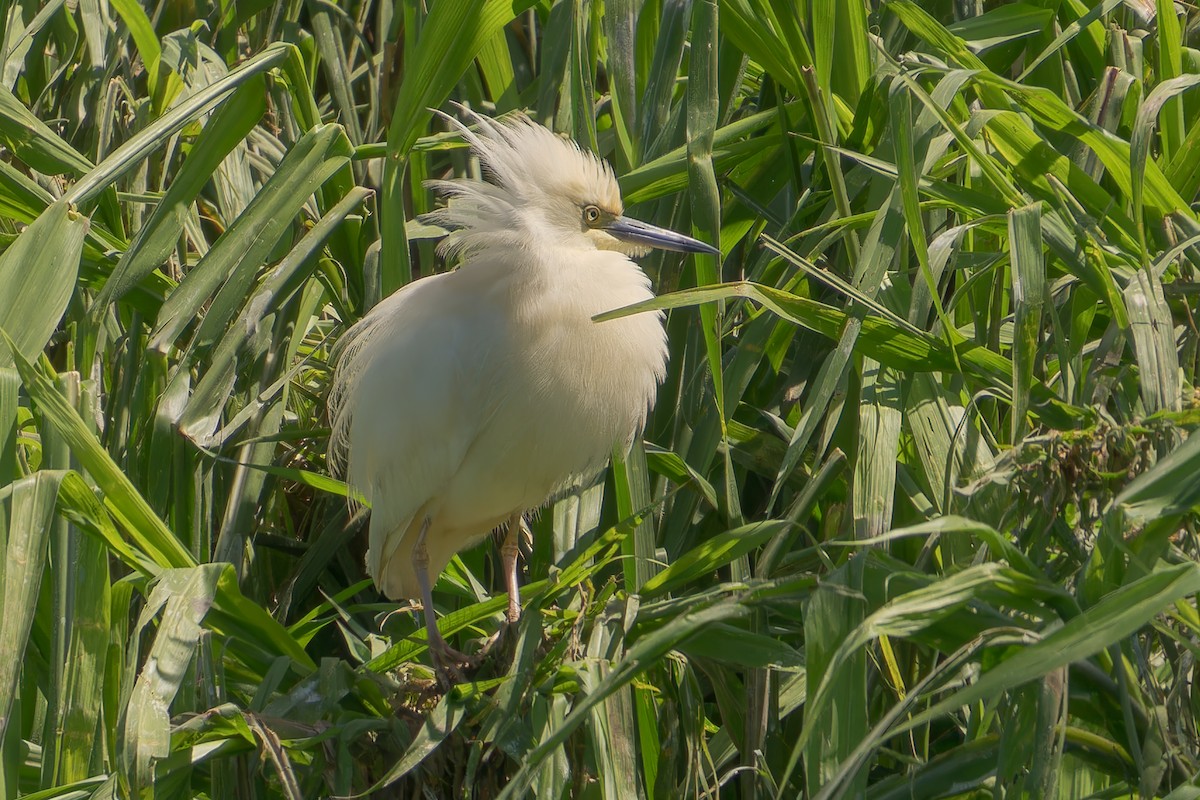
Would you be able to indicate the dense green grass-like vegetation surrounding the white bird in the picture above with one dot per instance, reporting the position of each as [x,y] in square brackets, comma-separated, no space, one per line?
[916,513]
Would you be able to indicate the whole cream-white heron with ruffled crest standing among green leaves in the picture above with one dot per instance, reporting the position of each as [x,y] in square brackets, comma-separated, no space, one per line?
[470,398]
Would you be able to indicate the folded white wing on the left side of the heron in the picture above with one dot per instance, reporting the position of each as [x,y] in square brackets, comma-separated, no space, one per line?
[411,399]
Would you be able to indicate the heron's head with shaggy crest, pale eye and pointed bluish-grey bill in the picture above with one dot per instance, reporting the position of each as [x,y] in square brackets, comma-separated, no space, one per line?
[548,187]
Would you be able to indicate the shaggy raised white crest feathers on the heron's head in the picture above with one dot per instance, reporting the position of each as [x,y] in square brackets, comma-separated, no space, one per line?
[527,164]
